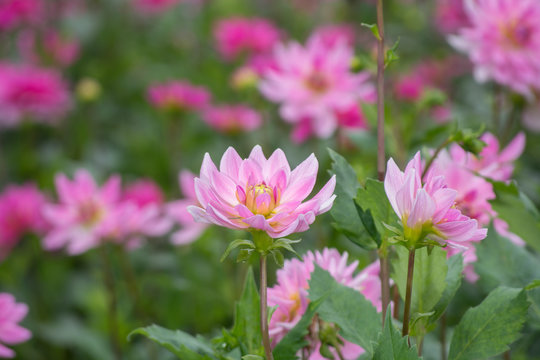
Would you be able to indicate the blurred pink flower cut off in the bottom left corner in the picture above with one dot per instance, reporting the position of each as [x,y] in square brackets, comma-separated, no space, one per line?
[11,333]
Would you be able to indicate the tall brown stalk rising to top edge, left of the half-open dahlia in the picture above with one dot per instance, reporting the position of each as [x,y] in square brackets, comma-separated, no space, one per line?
[381,158]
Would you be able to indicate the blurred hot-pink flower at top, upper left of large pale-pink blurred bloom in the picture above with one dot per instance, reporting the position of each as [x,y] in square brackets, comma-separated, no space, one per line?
[235,36]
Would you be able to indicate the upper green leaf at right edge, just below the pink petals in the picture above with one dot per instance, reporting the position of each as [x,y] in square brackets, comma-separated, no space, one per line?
[518,211]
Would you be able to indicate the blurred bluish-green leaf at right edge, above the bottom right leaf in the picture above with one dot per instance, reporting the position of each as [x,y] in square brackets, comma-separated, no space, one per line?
[500,262]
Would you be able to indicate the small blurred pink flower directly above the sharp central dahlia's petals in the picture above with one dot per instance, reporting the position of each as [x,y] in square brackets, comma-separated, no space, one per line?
[232,119]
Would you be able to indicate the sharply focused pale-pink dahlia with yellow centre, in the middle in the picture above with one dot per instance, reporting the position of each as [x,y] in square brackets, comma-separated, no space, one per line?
[260,194]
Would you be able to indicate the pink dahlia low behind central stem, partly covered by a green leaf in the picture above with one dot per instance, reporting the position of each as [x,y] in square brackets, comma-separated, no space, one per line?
[290,294]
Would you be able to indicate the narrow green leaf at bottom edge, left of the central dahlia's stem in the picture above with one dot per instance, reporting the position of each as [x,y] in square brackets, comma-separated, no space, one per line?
[184,346]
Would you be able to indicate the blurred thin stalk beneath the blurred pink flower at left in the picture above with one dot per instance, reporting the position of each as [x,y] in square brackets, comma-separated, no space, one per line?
[108,279]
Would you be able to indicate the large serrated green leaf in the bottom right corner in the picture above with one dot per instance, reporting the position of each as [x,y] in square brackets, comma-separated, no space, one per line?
[487,329]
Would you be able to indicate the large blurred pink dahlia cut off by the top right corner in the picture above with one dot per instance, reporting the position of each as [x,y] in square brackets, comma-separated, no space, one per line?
[503,42]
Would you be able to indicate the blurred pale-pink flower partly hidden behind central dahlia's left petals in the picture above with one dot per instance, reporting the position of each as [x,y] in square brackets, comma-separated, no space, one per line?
[178,211]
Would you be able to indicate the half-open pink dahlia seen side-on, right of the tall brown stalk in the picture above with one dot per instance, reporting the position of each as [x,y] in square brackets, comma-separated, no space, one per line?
[426,207]
